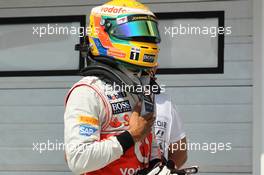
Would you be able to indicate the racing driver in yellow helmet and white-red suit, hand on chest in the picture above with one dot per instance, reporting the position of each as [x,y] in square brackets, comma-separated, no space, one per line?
[108,130]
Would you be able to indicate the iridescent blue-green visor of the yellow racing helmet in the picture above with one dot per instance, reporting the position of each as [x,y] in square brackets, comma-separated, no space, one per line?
[142,30]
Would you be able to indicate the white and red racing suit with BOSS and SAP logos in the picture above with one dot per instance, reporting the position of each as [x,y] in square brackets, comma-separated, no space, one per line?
[96,140]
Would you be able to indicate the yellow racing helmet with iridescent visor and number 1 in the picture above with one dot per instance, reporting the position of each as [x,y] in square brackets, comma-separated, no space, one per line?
[125,31]
